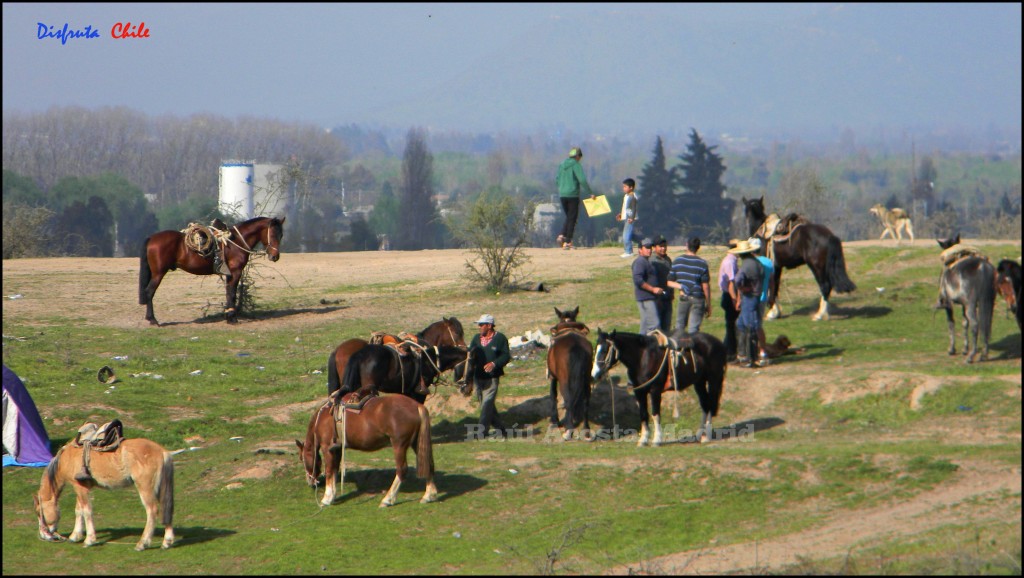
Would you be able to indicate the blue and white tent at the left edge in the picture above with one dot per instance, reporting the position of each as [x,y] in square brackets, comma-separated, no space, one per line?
[25,439]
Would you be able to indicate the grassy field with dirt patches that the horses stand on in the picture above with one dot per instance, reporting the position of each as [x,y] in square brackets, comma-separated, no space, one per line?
[874,452]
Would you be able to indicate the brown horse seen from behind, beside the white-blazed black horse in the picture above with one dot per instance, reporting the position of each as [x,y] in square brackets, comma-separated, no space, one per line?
[568,366]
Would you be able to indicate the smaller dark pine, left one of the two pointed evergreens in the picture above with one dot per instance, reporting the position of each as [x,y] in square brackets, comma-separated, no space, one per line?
[658,204]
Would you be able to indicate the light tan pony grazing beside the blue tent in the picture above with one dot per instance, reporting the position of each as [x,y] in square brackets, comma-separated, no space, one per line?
[138,462]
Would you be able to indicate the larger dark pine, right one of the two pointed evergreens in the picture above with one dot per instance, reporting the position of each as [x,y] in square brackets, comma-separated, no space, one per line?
[706,213]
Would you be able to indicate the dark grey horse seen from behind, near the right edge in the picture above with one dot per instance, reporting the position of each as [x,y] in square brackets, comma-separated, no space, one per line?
[967,279]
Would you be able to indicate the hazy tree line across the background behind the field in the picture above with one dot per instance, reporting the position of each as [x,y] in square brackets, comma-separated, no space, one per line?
[98,182]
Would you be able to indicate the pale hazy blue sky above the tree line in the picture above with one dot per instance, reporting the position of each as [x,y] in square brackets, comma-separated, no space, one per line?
[478,67]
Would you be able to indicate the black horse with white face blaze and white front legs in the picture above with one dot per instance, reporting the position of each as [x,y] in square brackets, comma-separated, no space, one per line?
[654,369]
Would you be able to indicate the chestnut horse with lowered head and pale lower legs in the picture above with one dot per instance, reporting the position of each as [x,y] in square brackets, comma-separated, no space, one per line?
[395,421]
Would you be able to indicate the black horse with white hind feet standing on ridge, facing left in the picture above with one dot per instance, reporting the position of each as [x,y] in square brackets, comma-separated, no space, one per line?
[793,242]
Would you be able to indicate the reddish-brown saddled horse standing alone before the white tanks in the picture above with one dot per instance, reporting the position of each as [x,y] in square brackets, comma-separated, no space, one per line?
[168,251]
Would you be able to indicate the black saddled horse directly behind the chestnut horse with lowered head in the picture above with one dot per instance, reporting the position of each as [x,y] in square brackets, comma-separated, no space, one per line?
[381,368]
